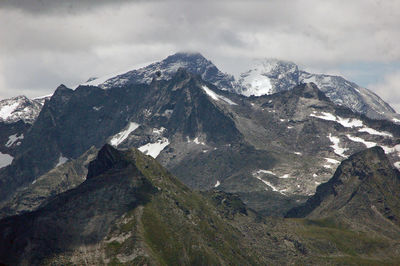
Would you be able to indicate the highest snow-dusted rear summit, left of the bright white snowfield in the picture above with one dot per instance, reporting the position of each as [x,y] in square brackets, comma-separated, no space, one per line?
[193,62]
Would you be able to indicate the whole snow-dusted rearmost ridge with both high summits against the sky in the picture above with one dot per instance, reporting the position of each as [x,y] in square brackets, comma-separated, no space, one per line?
[267,77]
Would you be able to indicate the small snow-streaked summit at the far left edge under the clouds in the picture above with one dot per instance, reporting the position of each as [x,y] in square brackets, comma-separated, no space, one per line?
[20,108]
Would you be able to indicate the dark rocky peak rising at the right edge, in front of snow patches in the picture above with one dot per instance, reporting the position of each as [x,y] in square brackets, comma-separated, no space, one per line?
[364,189]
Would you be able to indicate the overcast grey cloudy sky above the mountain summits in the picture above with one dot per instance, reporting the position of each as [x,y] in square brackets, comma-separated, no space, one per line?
[45,43]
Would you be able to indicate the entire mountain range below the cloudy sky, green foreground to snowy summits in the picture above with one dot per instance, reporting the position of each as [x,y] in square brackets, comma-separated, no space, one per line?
[238,154]
